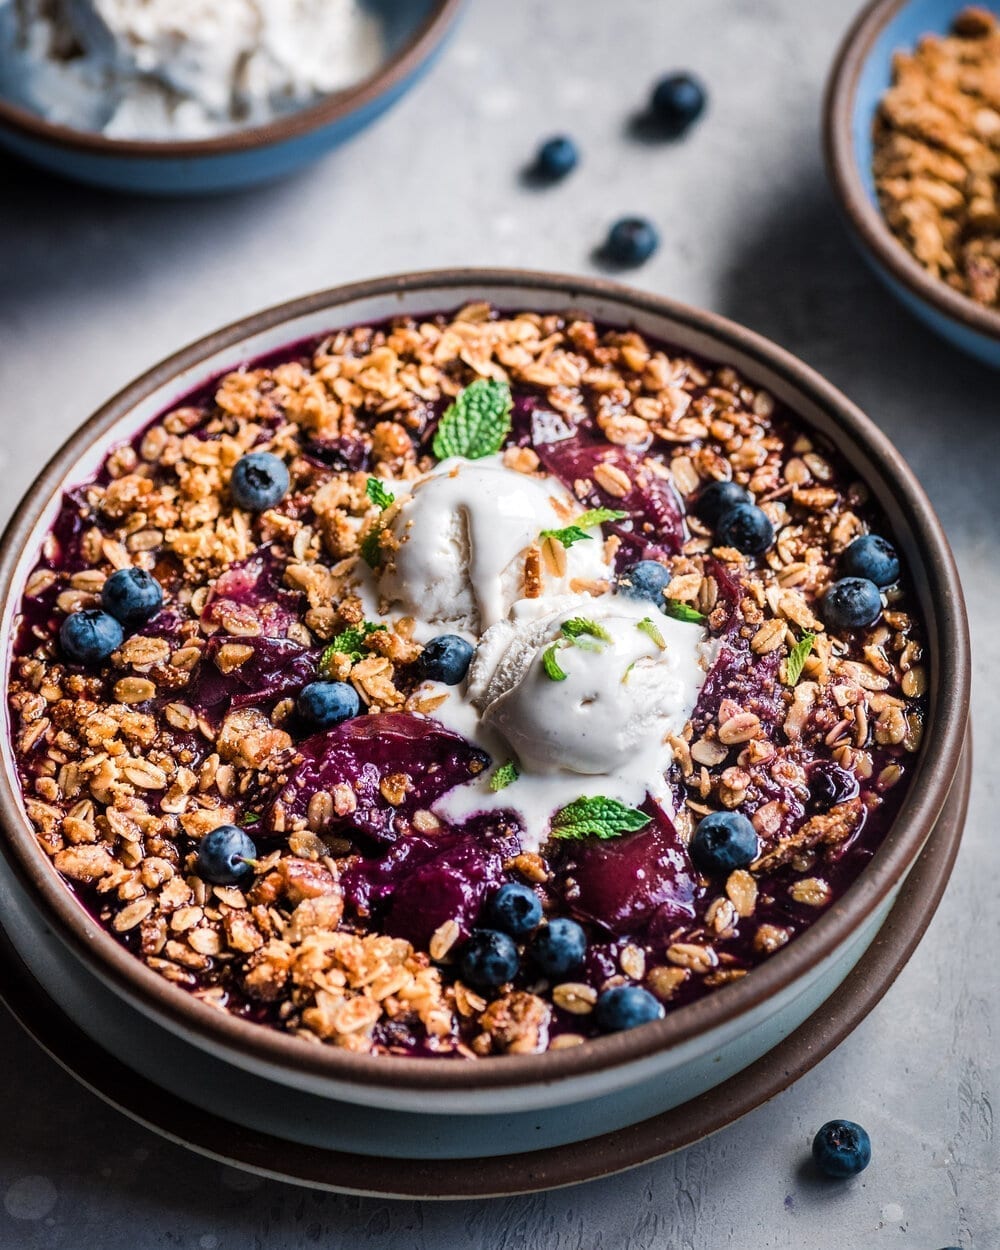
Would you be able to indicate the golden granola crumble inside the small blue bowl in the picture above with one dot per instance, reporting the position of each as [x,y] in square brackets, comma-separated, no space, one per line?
[938,154]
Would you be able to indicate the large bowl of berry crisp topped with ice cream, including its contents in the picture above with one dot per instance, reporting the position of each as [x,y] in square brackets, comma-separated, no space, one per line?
[506,703]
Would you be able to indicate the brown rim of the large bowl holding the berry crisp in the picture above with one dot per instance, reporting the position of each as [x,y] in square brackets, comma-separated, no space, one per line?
[922,806]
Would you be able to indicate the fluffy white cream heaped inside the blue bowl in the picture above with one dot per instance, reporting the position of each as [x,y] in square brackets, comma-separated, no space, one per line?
[181,69]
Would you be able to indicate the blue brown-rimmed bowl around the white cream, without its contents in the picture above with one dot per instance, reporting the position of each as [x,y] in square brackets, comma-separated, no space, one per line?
[416,32]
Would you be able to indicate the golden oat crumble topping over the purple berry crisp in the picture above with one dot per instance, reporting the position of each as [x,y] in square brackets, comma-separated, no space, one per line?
[192,724]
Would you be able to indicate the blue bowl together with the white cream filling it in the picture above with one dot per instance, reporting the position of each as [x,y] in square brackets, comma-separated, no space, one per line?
[228,98]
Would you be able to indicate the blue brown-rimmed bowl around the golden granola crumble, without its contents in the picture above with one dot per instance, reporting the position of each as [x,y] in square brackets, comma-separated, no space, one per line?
[862,74]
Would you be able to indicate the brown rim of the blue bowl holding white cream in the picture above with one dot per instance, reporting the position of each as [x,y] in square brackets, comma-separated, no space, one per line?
[331,109]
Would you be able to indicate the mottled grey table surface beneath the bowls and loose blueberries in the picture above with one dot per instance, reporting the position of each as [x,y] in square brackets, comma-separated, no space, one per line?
[94,289]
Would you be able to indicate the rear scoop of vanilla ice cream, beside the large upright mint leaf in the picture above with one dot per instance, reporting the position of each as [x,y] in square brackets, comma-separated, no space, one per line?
[463,536]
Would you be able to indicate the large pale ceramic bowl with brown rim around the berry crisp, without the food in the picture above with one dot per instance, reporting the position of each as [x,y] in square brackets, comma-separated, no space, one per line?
[609,1082]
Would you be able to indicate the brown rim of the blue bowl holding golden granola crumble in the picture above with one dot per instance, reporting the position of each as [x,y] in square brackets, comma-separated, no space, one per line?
[844,174]
